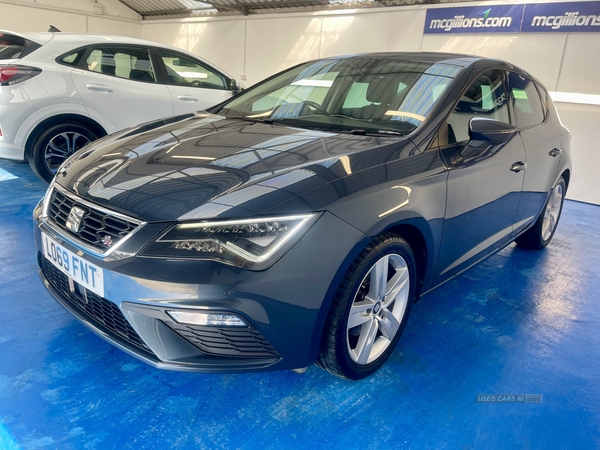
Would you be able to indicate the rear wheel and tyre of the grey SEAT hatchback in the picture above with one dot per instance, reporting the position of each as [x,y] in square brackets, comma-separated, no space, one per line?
[542,232]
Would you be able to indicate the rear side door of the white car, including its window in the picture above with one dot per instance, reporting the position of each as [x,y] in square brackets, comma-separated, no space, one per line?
[119,84]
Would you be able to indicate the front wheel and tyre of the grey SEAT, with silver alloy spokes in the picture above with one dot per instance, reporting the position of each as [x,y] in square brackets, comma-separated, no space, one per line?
[370,309]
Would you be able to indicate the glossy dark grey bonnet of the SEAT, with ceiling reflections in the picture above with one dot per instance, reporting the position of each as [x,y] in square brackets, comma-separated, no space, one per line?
[206,166]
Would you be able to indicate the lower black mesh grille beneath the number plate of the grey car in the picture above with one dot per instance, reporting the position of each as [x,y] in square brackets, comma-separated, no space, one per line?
[103,313]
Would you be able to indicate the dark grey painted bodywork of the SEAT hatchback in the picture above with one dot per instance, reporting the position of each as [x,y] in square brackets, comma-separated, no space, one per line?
[207,166]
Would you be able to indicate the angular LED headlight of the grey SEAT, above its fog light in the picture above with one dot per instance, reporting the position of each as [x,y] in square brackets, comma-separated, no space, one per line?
[250,243]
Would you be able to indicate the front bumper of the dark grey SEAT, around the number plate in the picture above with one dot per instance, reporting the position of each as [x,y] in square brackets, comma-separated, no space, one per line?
[285,305]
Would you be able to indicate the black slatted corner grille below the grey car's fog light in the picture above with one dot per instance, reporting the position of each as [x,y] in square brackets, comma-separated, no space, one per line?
[246,342]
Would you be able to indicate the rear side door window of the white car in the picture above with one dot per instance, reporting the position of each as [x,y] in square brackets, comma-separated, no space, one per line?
[132,63]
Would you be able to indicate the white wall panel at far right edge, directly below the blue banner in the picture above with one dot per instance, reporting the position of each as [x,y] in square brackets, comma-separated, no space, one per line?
[581,64]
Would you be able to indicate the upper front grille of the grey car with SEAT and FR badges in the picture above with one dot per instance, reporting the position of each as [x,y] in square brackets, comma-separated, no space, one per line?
[95,225]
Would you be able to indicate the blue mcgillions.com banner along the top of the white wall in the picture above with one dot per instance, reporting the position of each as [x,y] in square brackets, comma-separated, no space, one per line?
[537,18]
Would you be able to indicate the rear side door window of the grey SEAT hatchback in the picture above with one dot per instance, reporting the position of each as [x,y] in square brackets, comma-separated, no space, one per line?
[527,103]
